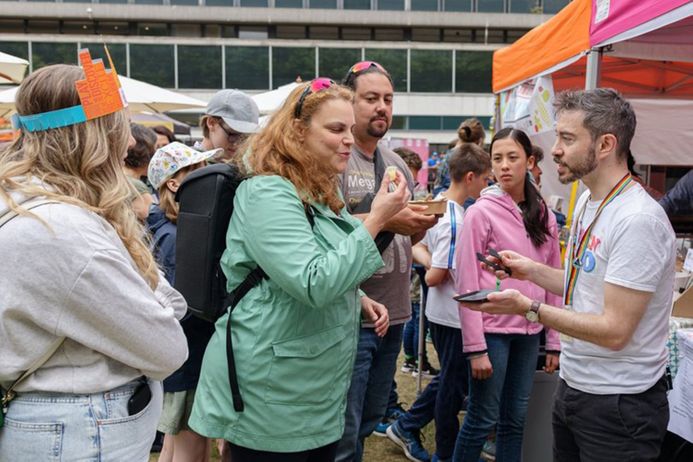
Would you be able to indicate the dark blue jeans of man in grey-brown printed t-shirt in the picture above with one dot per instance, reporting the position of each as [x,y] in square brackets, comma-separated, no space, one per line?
[374,369]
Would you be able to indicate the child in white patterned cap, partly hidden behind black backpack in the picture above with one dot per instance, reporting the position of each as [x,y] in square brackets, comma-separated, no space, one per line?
[167,170]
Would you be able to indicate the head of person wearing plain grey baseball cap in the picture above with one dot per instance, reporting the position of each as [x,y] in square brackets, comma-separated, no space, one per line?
[231,115]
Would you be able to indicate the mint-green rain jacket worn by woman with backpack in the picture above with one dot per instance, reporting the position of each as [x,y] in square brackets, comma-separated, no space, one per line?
[295,334]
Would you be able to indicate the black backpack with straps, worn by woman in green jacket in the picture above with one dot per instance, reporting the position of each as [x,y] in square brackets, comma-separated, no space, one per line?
[206,206]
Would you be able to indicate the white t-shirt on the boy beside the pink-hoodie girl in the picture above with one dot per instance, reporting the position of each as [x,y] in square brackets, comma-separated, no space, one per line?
[440,307]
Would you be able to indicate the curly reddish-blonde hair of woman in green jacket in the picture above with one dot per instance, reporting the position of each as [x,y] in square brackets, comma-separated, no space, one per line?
[279,150]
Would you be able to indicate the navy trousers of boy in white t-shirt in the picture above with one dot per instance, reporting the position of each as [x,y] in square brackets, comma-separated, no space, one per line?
[442,399]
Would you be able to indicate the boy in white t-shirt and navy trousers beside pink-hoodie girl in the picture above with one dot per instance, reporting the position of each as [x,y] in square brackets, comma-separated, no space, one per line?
[470,168]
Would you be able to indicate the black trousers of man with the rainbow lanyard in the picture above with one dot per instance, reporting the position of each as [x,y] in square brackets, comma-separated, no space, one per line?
[607,428]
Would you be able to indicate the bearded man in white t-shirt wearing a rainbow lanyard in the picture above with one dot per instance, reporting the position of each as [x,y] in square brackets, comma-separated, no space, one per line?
[611,401]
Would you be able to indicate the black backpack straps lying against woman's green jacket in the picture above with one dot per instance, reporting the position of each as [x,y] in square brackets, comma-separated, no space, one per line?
[253,278]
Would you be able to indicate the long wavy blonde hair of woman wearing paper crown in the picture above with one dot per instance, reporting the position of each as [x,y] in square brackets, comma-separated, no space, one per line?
[81,163]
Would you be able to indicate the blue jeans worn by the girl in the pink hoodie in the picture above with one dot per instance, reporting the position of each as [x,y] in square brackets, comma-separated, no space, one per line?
[501,399]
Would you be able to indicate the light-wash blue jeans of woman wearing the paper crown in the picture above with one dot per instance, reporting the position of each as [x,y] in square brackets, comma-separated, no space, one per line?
[56,426]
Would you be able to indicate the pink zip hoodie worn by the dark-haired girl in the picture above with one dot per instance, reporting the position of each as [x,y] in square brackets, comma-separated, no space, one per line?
[495,221]
